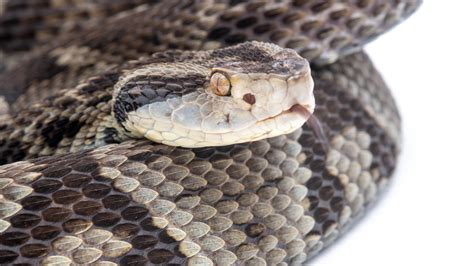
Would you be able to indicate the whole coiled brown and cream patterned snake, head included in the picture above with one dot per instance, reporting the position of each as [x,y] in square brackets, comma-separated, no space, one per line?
[191,132]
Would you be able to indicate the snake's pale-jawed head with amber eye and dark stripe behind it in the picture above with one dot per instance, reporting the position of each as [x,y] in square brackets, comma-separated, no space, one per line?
[237,94]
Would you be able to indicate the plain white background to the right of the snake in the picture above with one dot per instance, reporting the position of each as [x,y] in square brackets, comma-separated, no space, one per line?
[426,216]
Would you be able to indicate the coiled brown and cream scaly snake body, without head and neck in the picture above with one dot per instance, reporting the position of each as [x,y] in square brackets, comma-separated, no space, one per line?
[275,201]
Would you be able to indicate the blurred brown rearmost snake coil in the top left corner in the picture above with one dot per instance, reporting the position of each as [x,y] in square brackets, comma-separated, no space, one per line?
[25,24]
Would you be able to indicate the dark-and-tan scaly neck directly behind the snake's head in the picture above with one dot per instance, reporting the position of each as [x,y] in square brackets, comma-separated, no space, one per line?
[79,120]
